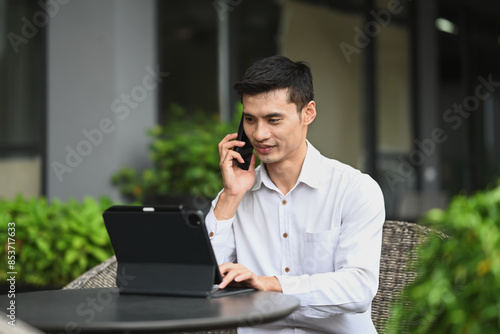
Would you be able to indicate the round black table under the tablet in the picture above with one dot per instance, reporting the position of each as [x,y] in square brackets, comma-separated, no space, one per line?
[106,310]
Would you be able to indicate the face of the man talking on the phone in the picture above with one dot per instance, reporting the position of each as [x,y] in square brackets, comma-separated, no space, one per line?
[275,128]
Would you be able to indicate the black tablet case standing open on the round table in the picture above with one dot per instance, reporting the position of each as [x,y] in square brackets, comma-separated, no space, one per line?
[161,250]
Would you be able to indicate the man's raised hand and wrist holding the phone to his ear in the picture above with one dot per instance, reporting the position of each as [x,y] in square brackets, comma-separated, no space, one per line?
[236,180]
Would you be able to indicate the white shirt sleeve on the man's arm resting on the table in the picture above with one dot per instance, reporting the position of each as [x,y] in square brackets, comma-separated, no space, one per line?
[352,285]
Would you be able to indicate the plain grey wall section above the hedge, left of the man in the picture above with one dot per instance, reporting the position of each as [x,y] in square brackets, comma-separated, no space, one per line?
[100,56]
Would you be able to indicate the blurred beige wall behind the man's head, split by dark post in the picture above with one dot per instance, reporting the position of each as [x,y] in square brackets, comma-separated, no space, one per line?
[315,34]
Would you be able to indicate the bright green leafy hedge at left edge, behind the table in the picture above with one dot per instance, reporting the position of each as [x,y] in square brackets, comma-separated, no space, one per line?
[54,242]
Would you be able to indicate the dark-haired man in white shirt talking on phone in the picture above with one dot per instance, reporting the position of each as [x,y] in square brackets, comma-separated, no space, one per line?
[300,223]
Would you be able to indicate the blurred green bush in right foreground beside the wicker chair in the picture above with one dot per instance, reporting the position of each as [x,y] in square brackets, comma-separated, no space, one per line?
[457,287]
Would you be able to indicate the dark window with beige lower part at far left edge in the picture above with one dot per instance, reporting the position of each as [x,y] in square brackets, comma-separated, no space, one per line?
[22,93]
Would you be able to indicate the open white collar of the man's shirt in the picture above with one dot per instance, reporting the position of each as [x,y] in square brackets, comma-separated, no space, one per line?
[310,173]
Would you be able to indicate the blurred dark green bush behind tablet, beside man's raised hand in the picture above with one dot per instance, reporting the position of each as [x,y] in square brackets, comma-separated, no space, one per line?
[185,158]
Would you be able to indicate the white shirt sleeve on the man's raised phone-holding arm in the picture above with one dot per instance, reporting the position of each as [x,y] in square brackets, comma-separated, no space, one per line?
[221,236]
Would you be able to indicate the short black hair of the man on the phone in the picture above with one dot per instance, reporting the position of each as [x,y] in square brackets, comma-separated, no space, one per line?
[279,72]
